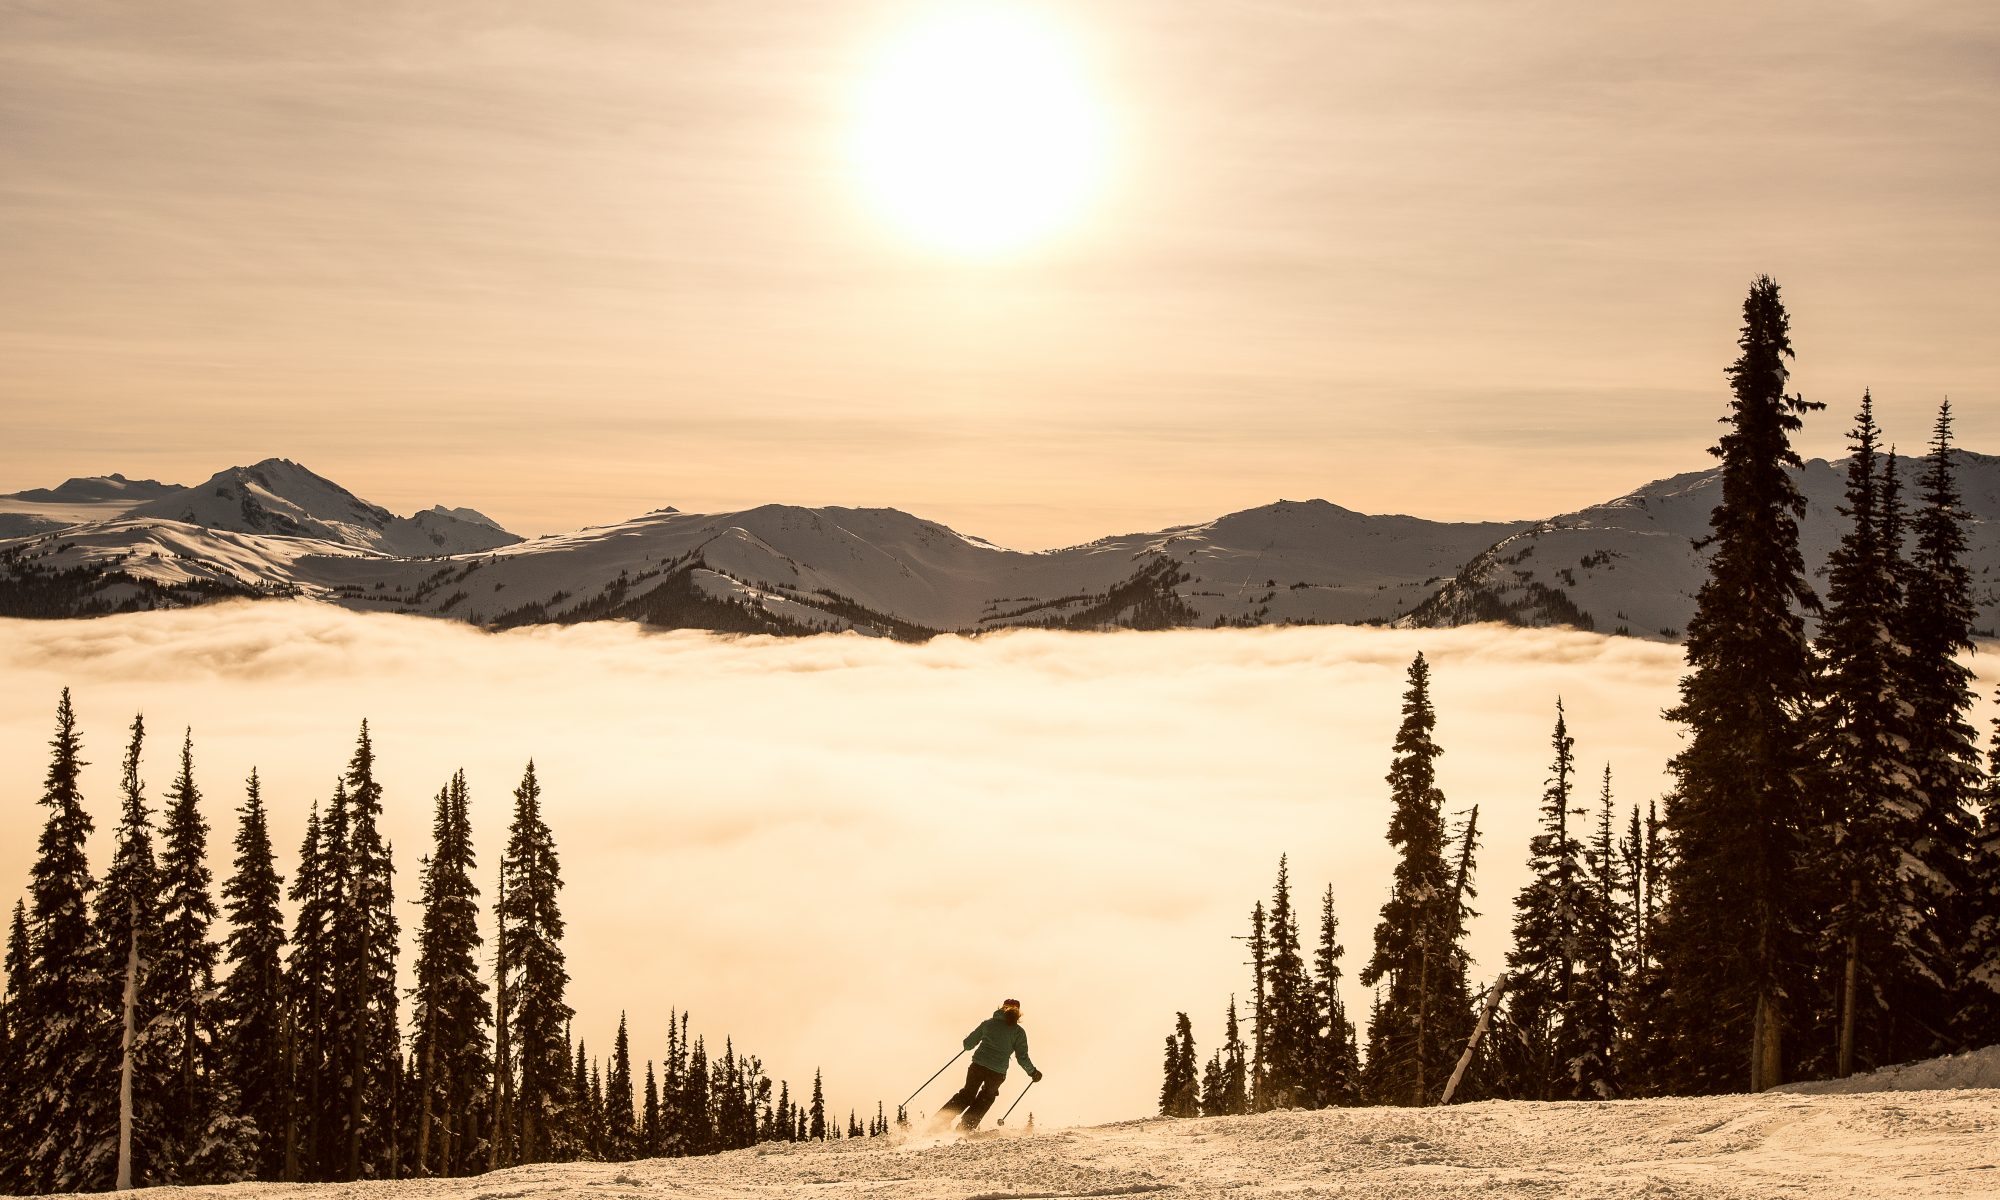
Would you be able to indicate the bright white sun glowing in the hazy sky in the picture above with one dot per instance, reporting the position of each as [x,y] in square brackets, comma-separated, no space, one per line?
[979,133]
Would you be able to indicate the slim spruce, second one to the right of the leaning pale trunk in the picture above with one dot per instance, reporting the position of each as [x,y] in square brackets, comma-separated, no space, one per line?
[1593,1035]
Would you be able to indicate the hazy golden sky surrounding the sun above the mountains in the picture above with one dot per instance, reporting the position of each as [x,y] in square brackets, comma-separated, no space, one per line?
[573,261]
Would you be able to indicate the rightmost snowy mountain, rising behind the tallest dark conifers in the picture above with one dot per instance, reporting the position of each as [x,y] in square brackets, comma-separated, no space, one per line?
[1633,565]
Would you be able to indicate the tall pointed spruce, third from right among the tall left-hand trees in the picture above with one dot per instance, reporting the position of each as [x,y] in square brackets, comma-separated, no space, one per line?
[363,1025]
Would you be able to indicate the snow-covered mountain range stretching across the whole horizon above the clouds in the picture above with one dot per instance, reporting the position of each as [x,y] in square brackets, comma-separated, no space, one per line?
[277,529]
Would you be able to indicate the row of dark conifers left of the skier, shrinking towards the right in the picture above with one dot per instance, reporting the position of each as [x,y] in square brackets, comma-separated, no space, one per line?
[137,1049]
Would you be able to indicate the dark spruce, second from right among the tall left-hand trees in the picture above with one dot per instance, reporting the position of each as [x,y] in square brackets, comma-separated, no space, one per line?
[449,1007]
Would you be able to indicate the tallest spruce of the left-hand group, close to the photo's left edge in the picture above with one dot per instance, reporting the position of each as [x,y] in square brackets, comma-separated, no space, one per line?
[55,1017]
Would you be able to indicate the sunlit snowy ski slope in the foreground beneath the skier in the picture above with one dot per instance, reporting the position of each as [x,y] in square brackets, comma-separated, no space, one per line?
[1695,1149]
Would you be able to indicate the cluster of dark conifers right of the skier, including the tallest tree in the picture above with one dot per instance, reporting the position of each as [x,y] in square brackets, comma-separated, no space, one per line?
[1817,895]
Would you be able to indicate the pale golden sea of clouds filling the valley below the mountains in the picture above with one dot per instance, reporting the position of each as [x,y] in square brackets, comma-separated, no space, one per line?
[845,851]
